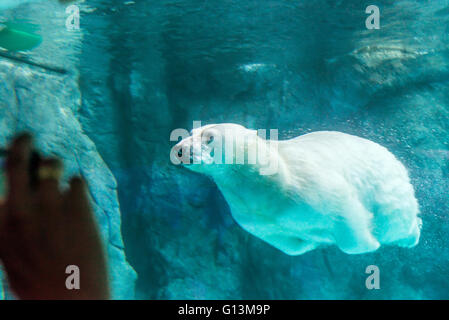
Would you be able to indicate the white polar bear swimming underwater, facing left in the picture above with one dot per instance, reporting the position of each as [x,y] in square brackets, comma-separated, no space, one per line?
[330,188]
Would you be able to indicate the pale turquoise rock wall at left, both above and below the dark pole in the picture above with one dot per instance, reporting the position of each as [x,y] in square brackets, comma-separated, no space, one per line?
[47,104]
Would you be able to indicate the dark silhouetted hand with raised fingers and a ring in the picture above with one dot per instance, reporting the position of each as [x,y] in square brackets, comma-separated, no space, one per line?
[44,230]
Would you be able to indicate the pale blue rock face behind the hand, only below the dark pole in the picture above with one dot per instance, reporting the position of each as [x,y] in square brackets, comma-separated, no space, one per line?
[28,103]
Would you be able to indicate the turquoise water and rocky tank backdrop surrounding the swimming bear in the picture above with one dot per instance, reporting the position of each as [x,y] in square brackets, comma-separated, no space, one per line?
[140,69]
